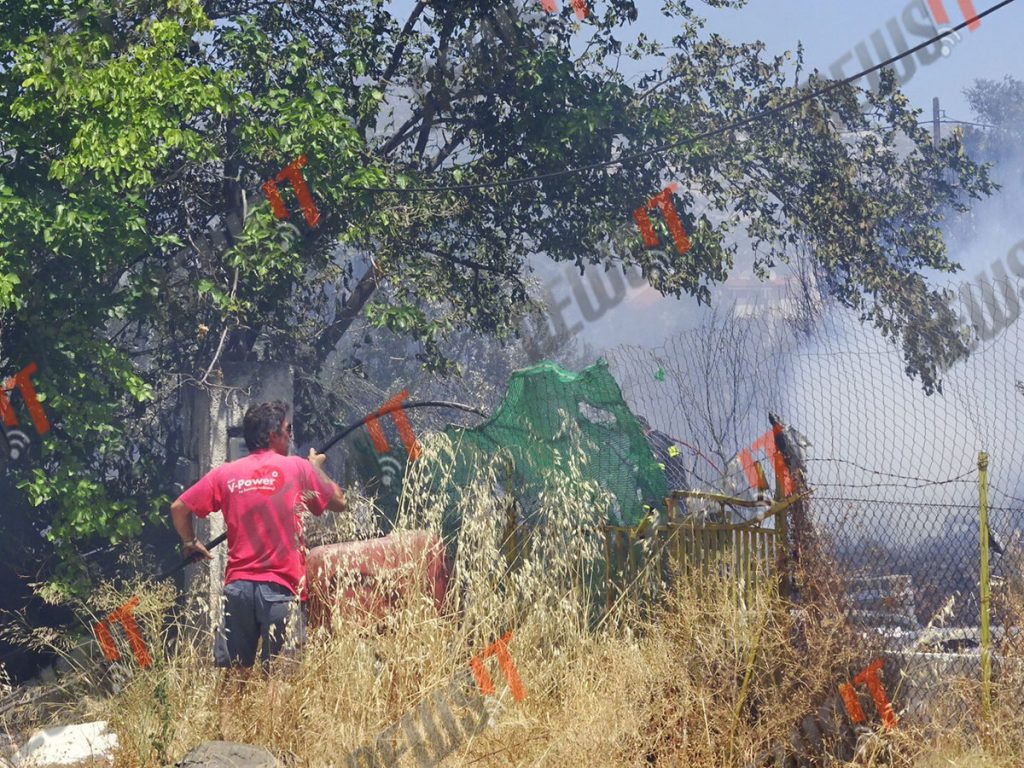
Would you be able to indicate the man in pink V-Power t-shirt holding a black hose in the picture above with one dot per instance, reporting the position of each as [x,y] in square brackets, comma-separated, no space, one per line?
[263,497]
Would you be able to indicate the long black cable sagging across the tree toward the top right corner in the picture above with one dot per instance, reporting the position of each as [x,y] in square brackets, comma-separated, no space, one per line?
[630,159]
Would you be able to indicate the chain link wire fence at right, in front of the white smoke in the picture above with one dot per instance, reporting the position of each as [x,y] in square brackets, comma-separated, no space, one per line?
[893,472]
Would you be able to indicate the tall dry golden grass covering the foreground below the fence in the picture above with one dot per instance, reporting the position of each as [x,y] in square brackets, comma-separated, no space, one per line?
[708,679]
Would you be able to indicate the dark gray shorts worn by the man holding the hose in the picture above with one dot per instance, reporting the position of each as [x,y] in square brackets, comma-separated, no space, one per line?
[254,612]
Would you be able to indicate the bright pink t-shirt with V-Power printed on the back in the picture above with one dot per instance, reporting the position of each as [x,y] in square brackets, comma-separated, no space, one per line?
[263,497]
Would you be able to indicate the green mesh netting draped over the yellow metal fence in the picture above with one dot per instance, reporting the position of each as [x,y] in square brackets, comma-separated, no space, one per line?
[531,428]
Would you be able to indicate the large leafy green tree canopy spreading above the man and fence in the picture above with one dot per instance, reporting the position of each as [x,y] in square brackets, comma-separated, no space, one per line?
[127,129]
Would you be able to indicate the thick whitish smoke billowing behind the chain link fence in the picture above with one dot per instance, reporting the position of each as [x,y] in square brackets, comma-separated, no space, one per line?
[891,459]
